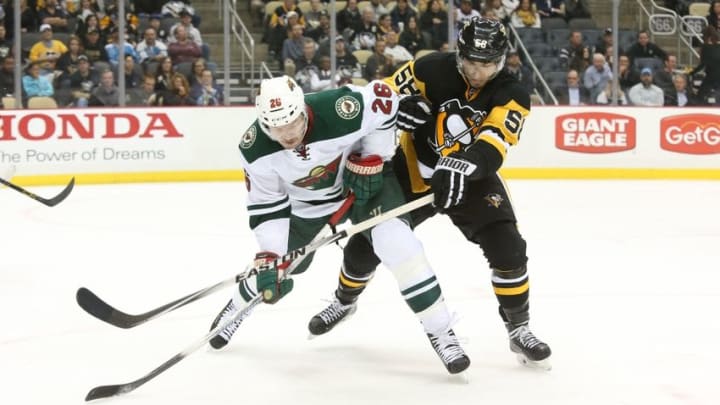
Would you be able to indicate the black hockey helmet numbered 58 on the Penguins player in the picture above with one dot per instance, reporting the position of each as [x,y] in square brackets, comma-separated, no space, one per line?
[482,40]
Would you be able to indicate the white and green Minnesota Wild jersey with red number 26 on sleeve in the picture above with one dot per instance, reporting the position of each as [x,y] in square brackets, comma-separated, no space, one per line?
[307,180]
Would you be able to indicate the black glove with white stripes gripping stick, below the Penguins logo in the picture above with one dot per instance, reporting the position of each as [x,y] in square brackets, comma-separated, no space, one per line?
[450,180]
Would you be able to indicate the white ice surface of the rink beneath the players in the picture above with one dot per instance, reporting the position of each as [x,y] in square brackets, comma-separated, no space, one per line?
[625,288]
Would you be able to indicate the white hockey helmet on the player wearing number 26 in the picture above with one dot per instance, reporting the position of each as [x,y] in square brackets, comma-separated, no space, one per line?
[279,102]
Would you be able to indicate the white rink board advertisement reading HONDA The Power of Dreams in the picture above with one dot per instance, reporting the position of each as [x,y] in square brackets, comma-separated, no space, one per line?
[120,140]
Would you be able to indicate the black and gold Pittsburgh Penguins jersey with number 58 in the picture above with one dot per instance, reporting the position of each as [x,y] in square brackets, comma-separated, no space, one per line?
[501,107]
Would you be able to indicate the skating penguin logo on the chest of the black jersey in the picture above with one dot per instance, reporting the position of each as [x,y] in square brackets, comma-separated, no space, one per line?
[456,128]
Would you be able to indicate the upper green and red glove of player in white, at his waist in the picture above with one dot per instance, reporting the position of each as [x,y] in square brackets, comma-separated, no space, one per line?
[363,176]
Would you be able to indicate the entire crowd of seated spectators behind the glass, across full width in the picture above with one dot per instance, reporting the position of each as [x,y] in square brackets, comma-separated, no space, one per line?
[73,52]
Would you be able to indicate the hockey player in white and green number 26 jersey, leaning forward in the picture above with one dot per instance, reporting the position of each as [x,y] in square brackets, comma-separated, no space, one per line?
[301,157]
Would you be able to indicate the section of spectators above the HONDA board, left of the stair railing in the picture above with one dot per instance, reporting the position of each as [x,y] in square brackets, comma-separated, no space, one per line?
[71,53]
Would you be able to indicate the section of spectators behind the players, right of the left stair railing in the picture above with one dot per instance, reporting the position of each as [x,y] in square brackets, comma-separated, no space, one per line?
[377,36]
